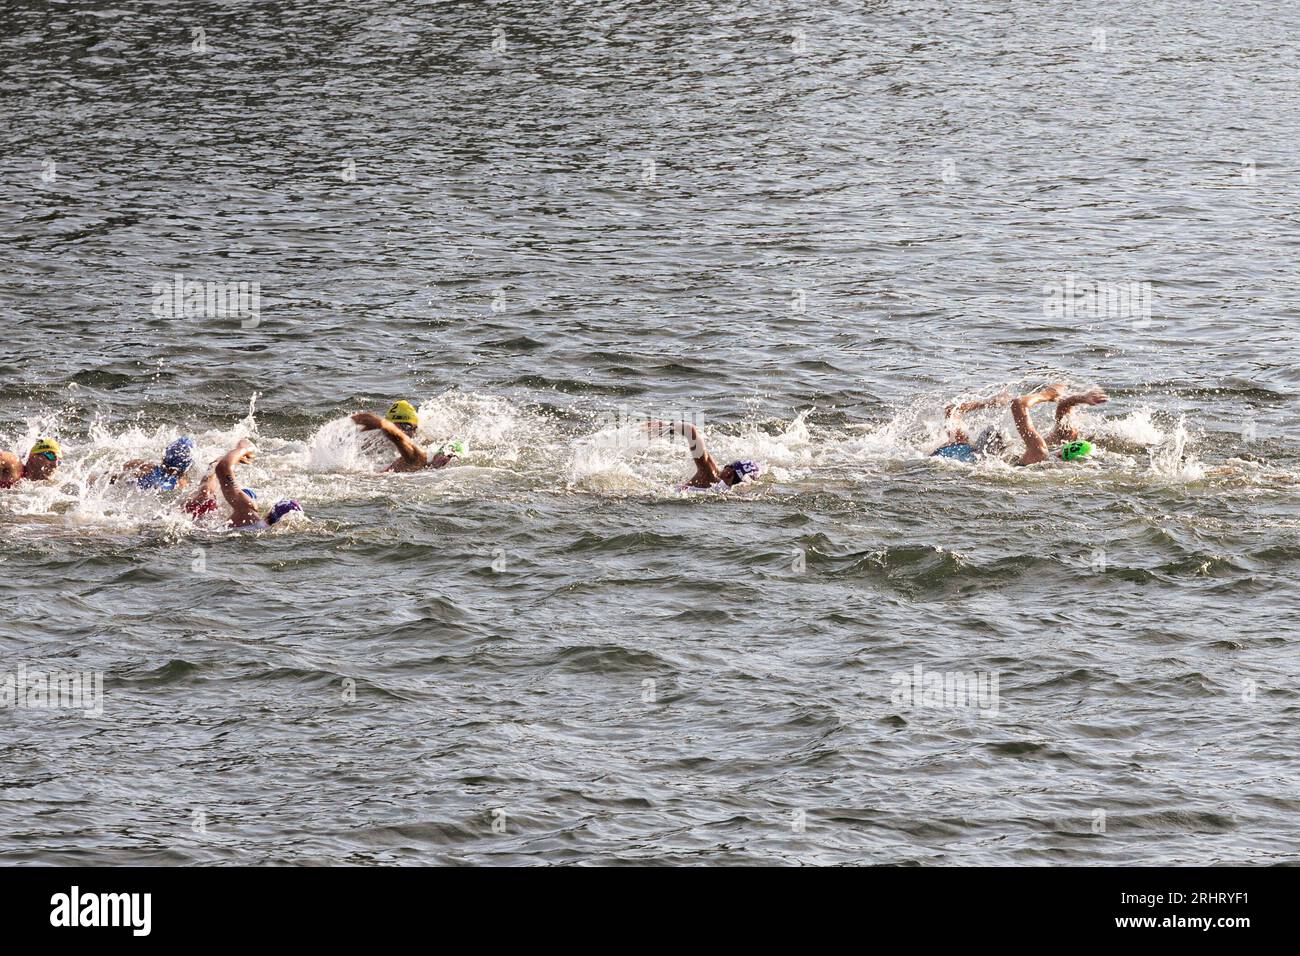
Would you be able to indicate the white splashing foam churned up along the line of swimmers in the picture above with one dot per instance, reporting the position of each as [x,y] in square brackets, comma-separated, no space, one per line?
[512,445]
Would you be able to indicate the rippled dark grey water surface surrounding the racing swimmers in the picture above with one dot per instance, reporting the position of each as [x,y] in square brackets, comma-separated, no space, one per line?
[807,227]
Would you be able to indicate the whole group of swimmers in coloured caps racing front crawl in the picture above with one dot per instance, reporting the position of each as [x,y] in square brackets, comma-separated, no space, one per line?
[401,423]
